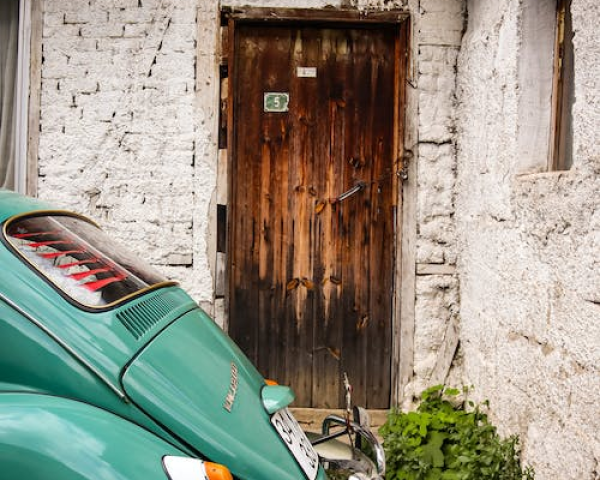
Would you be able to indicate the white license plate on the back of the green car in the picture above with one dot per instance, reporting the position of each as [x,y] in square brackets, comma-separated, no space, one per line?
[297,442]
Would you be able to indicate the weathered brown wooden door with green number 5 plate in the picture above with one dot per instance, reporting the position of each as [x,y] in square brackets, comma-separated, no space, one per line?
[313,211]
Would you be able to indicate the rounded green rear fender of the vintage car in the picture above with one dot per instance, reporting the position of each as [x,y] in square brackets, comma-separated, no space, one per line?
[46,438]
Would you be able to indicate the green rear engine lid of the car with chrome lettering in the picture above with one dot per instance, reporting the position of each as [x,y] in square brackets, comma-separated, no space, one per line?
[196,382]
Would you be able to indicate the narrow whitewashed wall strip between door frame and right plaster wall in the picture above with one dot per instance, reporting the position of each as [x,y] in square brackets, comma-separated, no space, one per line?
[438,26]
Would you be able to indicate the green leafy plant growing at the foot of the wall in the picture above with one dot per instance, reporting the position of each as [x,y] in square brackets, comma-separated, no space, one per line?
[448,440]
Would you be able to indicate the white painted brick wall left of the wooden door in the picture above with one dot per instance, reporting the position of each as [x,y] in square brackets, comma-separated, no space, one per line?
[124,137]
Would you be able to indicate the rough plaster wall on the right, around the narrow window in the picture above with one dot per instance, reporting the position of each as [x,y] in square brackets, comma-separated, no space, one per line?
[529,263]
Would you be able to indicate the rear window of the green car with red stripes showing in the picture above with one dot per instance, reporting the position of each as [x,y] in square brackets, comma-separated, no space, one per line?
[80,259]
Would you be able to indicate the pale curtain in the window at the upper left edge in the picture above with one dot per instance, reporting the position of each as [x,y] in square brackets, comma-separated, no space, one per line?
[9,31]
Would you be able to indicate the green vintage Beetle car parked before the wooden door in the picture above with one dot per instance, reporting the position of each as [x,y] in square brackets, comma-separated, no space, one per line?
[110,371]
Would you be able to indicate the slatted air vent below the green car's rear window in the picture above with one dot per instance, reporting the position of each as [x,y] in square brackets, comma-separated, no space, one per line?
[140,318]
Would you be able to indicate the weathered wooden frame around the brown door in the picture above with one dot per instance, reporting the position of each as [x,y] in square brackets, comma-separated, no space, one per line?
[402,321]
